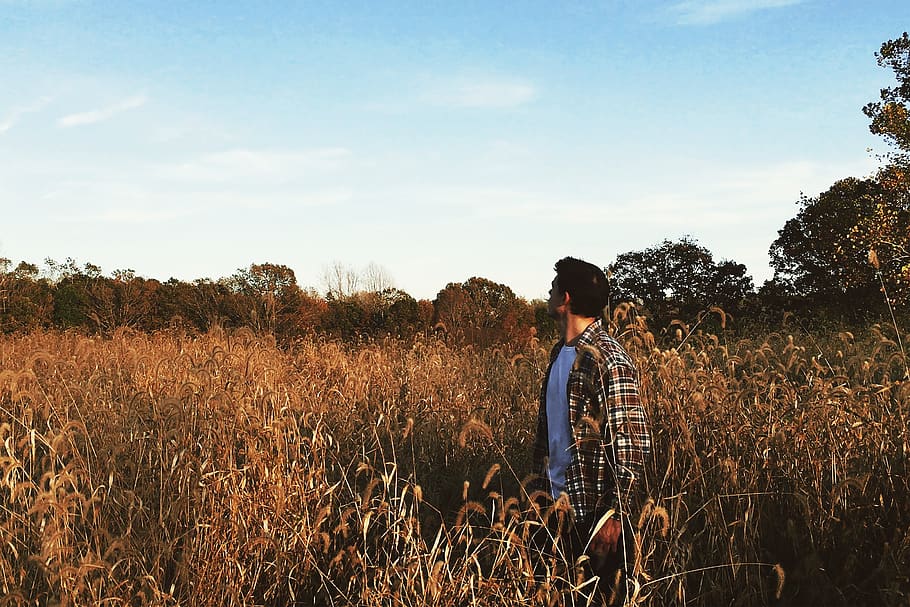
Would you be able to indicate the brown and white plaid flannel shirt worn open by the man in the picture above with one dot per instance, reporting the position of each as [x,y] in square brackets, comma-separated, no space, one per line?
[606,457]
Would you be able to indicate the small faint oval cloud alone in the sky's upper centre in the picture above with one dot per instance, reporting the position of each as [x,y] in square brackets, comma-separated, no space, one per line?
[479,93]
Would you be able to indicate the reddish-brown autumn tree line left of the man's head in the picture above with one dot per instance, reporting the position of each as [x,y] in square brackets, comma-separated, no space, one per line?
[264,297]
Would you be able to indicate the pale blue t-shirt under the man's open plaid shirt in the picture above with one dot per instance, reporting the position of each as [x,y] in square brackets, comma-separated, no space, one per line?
[558,428]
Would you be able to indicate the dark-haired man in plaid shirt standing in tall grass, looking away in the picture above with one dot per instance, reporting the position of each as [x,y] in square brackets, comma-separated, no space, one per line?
[592,433]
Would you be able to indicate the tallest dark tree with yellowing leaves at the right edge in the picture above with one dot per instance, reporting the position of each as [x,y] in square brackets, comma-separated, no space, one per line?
[849,241]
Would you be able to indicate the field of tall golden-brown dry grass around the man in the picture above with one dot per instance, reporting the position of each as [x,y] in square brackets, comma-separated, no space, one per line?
[221,469]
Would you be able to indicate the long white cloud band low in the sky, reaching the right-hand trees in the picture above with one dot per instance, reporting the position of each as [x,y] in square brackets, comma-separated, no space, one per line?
[720,196]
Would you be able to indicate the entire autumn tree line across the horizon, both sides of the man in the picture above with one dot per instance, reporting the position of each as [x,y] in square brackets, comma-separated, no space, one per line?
[844,258]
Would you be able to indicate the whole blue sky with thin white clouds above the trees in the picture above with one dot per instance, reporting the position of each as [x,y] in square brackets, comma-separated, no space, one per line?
[438,140]
